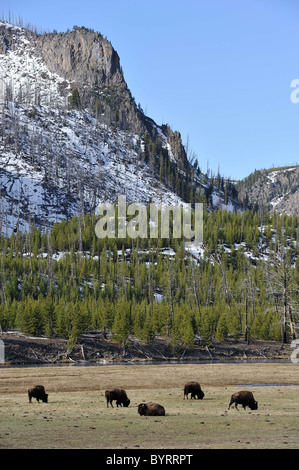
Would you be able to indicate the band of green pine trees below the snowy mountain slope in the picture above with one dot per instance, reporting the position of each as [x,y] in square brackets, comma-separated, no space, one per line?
[67,281]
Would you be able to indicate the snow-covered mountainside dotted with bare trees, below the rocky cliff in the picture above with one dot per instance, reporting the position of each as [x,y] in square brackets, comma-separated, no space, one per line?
[56,162]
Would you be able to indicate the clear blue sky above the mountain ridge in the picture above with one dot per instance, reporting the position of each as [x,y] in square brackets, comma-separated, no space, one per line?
[218,71]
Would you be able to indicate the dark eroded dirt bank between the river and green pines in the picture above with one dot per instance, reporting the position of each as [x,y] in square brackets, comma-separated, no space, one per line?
[19,349]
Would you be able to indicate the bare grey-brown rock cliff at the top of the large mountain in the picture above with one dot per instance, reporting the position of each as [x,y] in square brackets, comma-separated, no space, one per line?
[92,66]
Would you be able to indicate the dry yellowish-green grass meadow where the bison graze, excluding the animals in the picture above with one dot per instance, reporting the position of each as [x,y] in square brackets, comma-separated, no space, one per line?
[76,416]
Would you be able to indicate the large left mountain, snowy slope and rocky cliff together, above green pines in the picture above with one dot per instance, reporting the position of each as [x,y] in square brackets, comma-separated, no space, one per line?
[71,134]
